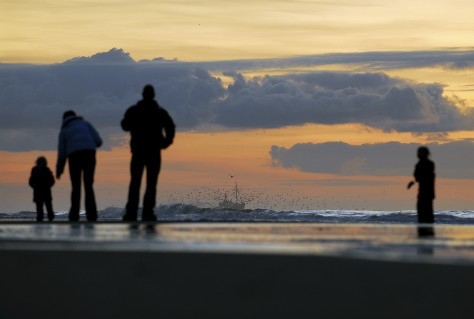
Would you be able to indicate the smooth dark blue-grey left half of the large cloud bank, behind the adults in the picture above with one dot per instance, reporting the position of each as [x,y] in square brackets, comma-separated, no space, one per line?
[100,88]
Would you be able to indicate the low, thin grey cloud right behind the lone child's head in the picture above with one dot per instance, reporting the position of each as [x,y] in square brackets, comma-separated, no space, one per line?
[453,160]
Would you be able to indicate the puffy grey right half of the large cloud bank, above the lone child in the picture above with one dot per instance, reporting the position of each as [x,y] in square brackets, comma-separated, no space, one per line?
[372,99]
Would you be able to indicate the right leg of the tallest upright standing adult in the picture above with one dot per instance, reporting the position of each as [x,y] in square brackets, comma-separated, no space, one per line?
[153,165]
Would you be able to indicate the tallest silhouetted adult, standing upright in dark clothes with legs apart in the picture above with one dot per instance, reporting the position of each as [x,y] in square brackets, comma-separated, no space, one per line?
[151,129]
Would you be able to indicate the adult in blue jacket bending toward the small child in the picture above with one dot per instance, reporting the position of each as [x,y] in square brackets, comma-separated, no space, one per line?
[78,141]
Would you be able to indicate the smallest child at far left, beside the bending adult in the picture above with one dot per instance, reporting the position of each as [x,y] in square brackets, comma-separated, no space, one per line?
[41,180]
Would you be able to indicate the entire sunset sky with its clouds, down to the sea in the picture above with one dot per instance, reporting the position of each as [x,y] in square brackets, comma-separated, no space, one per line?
[308,104]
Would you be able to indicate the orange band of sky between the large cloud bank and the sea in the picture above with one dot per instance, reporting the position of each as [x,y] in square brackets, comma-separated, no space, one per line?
[197,166]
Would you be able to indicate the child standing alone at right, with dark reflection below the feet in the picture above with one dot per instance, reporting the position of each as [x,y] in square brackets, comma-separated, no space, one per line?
[425,177]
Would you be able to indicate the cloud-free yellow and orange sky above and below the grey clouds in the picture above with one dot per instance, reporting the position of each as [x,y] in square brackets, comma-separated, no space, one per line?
[53,31]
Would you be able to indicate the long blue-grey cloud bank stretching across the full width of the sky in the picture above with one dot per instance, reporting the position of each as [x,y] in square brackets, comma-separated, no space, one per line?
[102,86]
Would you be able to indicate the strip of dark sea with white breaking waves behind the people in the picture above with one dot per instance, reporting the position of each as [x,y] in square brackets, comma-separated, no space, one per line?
[192,213]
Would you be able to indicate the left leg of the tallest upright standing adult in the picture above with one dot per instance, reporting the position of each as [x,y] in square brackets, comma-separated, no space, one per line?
[137,165]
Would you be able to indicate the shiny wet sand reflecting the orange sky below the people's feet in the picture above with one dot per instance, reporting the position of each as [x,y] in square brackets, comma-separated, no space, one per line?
[383,241]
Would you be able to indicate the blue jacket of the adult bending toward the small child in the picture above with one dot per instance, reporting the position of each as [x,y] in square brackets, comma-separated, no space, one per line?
[76,135]
